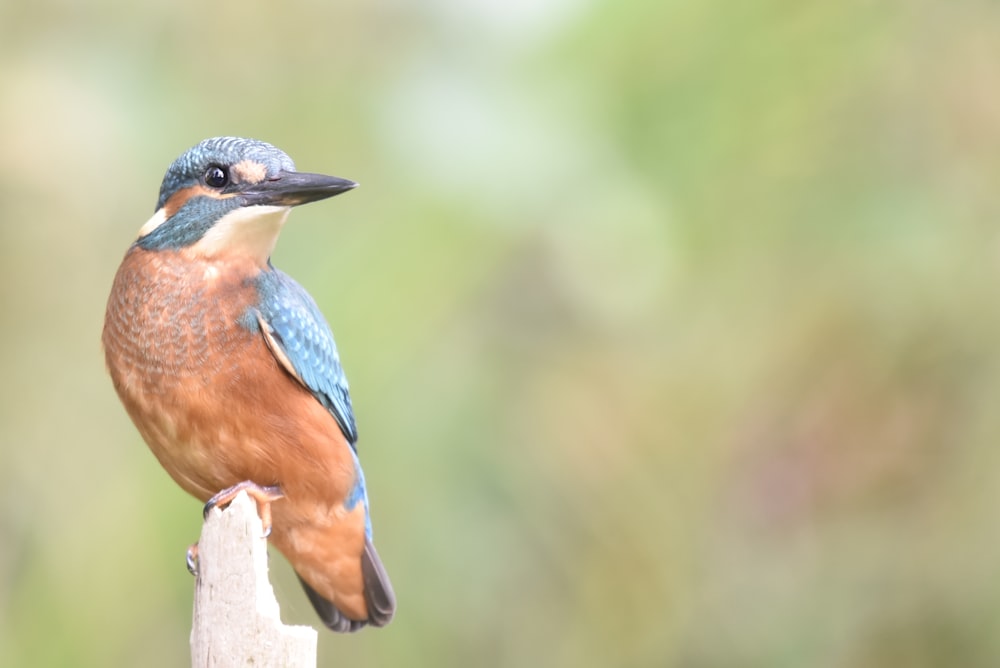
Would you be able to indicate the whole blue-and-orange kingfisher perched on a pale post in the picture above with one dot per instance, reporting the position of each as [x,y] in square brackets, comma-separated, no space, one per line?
[231,374]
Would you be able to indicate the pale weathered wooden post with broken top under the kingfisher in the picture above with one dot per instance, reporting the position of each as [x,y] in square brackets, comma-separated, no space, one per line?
[236,617]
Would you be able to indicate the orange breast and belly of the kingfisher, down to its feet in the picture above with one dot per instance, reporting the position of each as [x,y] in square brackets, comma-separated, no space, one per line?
[204,391]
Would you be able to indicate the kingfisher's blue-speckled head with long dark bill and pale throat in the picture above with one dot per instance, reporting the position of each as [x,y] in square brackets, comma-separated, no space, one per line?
[228,197]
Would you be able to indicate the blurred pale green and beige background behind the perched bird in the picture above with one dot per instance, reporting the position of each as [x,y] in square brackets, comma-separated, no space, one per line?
[671,326]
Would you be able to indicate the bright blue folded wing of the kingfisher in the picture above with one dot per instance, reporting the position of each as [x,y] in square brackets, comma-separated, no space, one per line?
[299,337]
